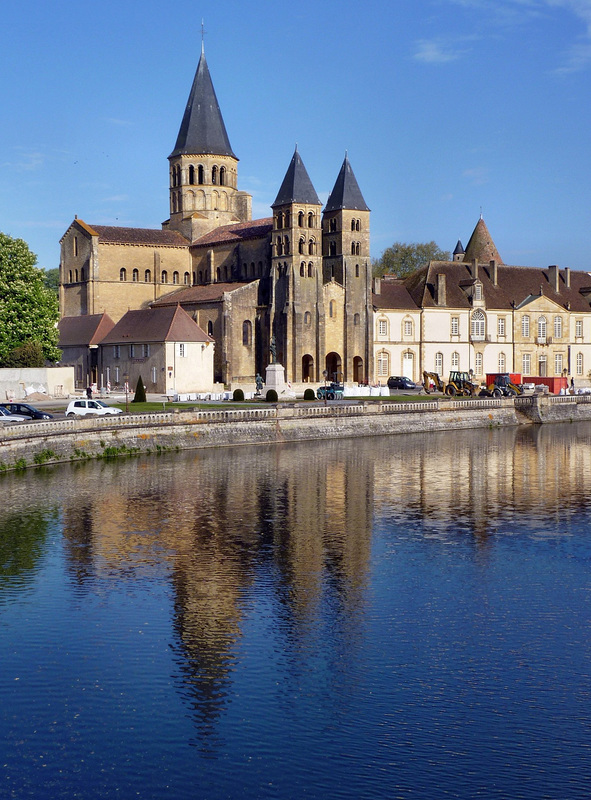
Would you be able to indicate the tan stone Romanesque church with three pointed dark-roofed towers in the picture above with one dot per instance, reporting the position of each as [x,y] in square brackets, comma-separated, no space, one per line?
[302,276]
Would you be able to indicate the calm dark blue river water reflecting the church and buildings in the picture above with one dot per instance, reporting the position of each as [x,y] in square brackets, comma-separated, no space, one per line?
[403,617]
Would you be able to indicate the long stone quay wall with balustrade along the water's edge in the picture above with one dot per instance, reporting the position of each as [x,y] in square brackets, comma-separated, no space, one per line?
[31,444]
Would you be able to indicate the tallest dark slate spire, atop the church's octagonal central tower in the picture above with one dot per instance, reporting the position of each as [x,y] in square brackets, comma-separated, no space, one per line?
[202,130]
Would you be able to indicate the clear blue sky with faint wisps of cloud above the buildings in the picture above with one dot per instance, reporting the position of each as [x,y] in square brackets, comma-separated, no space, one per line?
[444,107]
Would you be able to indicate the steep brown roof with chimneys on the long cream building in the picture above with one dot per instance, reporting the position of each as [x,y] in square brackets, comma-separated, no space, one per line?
[514,285]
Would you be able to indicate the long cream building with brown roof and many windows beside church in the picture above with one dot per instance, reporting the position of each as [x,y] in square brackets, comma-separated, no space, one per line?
[477,313]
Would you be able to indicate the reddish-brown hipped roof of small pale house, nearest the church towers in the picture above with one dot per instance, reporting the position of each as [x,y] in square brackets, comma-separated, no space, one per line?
[171,324]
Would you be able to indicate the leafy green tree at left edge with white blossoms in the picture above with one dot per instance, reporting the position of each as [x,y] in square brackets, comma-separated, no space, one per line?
[28,310]
